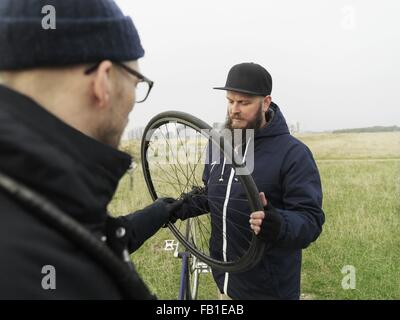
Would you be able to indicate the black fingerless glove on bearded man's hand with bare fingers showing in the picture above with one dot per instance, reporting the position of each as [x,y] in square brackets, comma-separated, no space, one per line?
[272,224]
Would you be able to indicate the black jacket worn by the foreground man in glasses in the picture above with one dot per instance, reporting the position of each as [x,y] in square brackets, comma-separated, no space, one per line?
[79,175]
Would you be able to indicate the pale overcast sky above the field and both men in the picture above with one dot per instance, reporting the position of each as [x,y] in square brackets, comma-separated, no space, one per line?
[334,63]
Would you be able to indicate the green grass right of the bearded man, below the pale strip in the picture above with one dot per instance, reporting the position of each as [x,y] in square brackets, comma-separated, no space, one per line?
[361,229]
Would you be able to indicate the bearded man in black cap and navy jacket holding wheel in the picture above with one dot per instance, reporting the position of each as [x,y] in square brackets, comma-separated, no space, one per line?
[290,189]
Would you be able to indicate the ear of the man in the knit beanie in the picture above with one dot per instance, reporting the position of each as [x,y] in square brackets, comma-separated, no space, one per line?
[102,84]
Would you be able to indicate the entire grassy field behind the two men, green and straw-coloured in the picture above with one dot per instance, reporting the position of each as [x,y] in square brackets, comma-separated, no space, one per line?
[360,174]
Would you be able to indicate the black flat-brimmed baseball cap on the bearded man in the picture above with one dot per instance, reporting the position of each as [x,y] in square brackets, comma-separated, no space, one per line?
[249,78]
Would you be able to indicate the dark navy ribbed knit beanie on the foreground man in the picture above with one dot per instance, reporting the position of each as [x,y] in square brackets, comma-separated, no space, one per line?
[86,31]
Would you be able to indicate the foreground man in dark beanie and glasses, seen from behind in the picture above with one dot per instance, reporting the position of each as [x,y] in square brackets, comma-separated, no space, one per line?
[65,97]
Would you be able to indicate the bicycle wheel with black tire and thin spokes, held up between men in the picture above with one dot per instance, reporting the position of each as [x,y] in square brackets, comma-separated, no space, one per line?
[174,153]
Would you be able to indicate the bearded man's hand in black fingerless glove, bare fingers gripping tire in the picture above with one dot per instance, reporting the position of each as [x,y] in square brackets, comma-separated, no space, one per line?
[266,224]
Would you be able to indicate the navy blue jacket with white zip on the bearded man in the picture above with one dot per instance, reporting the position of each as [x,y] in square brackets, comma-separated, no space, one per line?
[284,169]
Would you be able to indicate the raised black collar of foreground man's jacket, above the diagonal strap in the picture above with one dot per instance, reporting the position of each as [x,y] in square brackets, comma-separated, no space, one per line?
[74,171]
